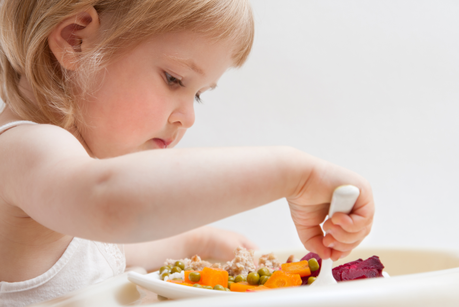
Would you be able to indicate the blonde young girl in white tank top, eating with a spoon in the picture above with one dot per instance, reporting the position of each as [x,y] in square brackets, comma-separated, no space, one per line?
[97,93]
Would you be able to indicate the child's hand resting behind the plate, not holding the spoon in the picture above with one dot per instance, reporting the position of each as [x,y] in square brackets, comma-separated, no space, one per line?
[214,243]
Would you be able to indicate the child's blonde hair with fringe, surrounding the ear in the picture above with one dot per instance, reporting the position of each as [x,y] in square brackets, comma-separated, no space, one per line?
[26,24]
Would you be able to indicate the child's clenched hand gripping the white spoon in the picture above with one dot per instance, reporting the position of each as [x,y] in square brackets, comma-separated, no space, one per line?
[310,204]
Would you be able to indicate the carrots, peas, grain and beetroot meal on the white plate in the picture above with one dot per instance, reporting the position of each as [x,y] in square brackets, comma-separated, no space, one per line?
[243,274]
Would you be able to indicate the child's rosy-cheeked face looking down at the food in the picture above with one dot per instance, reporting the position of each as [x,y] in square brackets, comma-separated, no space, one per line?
[146,98]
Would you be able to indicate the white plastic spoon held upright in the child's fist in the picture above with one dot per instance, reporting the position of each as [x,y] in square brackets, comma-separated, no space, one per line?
[343,199]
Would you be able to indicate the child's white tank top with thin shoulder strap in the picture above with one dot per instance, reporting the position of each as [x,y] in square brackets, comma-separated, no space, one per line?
[83,263]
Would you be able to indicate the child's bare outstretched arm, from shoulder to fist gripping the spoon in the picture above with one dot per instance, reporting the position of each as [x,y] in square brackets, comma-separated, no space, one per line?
[159,193]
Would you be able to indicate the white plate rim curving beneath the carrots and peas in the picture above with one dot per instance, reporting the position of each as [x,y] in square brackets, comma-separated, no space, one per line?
[170,290]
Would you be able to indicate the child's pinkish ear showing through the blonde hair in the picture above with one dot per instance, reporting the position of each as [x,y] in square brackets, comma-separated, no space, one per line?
[72,36]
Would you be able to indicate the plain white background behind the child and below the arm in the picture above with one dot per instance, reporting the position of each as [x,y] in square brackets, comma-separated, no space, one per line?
[369,85]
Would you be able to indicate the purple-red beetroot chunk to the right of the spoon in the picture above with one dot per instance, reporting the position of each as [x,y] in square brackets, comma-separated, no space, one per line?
[359,269]
